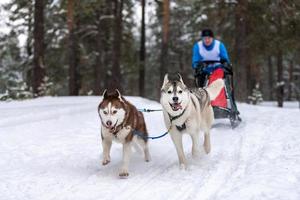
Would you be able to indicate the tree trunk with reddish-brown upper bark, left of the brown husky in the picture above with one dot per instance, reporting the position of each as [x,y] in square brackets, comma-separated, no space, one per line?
[72,52]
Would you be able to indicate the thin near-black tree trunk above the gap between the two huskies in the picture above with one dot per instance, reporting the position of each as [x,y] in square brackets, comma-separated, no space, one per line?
[142,54]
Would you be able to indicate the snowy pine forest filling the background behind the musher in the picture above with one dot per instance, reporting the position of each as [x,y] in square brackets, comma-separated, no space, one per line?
[70,48]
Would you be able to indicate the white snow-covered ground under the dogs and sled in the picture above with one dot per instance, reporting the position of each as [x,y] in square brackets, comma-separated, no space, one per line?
[50,149]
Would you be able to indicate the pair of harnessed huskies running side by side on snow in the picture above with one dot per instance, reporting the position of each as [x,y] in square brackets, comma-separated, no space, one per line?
[185,110]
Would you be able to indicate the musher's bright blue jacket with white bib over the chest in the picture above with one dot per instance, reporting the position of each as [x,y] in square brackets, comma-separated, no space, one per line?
[215,51]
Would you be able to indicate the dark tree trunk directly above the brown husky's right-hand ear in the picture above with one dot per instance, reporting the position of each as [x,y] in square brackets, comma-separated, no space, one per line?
[116,79]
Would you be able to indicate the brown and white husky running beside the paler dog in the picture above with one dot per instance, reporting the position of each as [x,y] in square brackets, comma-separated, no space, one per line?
[120,119]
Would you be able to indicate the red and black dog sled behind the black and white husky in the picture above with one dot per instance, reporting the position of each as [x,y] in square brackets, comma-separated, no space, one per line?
[224,105]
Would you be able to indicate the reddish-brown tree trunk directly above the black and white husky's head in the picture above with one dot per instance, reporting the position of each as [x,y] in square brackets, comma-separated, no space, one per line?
[165,40]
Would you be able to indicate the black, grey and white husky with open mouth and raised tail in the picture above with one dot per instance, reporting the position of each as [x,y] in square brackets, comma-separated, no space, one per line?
[188,111]
